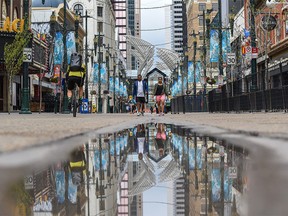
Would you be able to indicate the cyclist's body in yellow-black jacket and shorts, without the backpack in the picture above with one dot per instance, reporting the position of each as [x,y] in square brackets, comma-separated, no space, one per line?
[73,77]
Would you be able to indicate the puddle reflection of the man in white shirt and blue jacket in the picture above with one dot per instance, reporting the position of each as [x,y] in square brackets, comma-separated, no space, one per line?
[140,145]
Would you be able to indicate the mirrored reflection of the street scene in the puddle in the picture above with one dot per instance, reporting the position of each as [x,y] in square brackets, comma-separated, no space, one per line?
[152,169]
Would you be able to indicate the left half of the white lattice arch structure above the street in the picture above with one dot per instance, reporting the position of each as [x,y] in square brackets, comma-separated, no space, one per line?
[143,52]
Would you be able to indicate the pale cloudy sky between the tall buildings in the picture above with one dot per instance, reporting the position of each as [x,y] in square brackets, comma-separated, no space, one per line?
[153,19]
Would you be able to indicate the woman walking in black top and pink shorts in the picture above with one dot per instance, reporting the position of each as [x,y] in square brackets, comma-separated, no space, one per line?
[160,92]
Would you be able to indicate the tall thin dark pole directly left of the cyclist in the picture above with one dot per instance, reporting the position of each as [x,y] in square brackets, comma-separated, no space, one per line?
[65,98]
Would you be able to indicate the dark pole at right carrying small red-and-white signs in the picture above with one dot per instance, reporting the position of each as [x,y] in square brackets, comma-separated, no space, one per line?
[253,45]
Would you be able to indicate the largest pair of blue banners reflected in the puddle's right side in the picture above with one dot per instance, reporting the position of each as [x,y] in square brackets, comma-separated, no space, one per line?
[216,186]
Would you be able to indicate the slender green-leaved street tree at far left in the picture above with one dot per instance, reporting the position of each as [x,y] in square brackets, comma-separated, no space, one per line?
[13,56]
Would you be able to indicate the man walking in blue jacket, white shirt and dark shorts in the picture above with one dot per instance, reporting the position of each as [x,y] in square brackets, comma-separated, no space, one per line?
[140,91]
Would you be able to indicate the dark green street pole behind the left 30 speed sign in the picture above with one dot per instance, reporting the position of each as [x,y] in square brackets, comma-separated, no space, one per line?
[25,108]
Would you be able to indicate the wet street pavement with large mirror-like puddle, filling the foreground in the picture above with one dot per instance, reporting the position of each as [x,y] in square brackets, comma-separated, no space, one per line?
[114,164]
